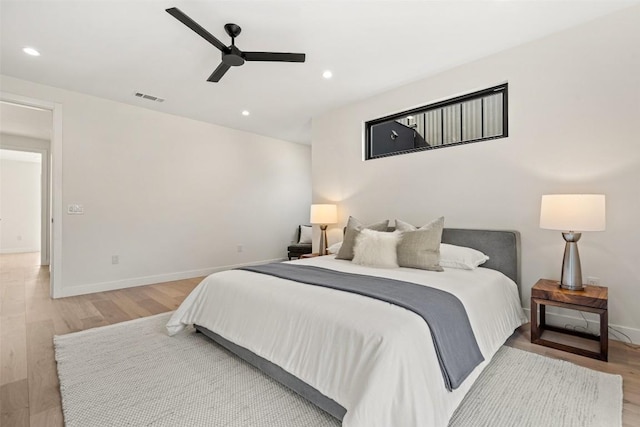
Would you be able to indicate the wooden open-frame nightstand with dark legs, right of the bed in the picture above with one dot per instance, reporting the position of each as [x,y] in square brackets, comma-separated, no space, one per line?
[593,299]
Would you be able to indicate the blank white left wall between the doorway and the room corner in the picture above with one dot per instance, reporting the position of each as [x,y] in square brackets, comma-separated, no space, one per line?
[172,197]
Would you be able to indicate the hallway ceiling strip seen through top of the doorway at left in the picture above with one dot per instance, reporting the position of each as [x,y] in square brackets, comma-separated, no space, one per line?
[25,121]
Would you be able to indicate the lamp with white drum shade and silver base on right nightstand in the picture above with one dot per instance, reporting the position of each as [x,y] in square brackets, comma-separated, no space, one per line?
[572,213]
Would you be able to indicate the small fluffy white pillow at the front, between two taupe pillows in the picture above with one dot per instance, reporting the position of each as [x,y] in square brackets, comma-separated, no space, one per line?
[376,249]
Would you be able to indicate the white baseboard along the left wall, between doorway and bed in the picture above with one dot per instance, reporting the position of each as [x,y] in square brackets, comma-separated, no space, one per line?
[149,280]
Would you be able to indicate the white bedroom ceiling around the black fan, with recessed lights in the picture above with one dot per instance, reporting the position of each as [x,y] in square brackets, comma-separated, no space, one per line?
[113,49]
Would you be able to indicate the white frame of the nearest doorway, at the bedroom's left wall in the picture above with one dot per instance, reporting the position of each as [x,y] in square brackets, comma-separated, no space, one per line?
[56,214]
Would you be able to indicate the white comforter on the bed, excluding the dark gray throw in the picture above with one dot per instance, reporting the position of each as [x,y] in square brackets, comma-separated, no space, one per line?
[375,359]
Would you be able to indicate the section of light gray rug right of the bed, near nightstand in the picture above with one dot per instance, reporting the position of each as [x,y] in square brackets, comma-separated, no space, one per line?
[523,389]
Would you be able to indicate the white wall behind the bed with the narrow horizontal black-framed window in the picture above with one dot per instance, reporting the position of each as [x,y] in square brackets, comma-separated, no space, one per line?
[574,105]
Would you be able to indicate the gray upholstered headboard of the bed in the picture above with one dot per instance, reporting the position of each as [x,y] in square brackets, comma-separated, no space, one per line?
[501,246]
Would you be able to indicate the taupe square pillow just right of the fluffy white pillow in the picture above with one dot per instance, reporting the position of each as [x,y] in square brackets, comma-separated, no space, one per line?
[420,247]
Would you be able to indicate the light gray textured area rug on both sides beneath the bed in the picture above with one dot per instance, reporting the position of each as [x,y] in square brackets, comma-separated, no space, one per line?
[133,374]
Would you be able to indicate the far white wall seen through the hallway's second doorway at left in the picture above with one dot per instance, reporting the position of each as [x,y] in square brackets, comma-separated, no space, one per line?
[19,206]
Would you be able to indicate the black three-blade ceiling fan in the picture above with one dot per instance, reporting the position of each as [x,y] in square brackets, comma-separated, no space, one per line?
[231,55]
